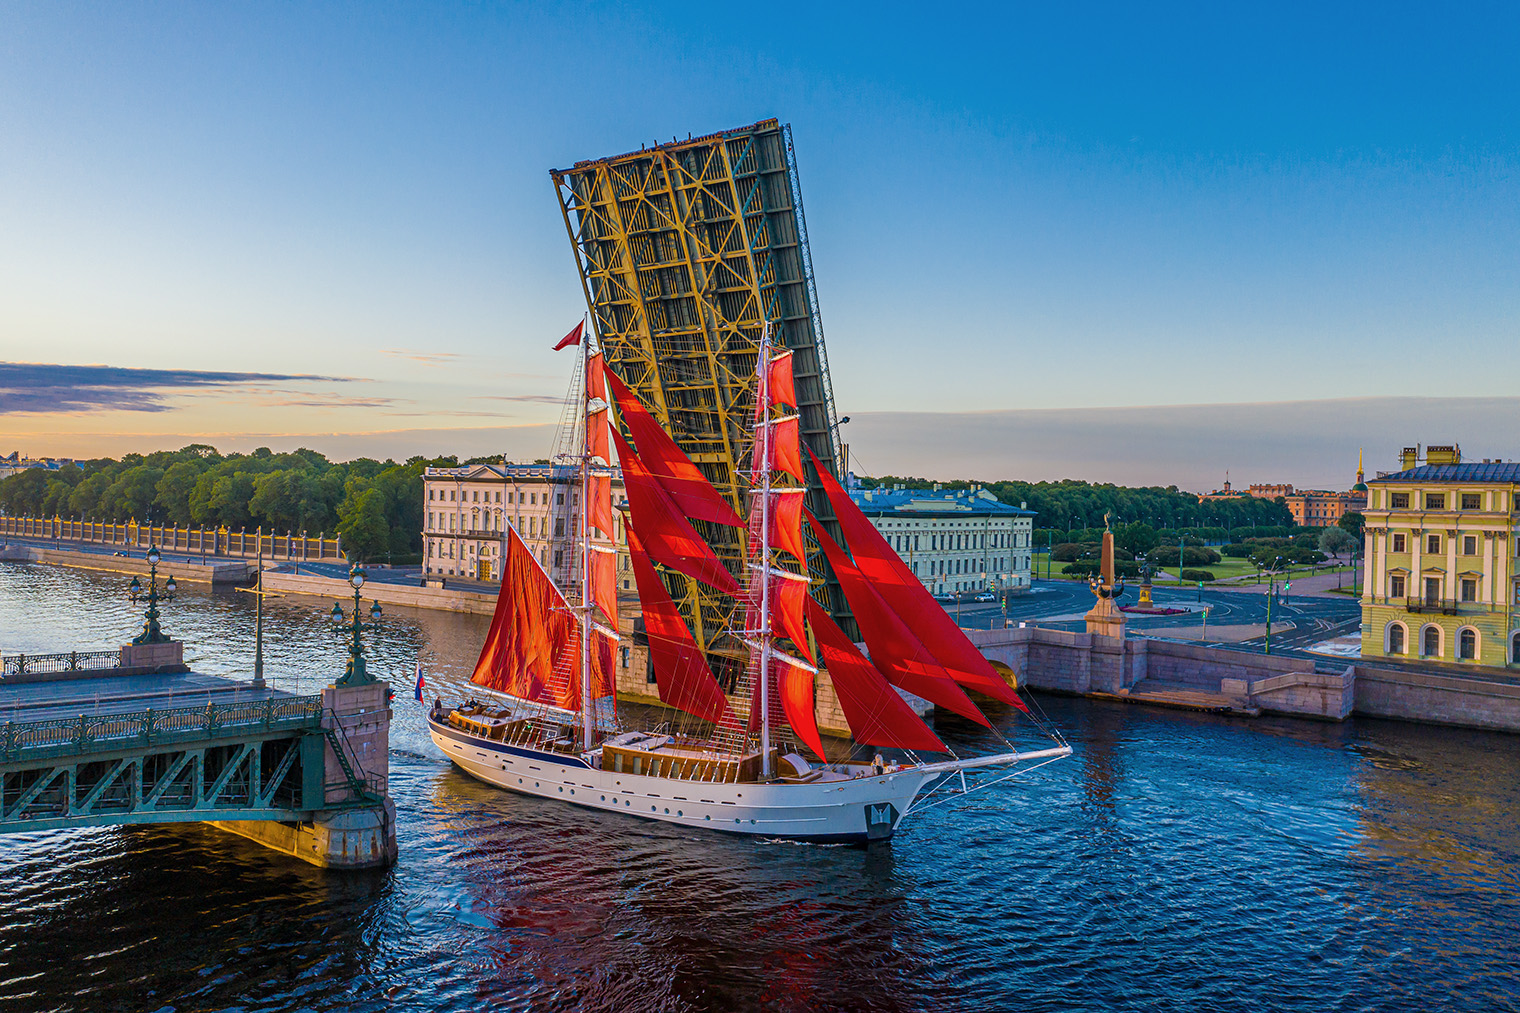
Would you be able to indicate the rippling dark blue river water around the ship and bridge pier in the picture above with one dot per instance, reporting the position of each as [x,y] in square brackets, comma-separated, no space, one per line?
[1177,862]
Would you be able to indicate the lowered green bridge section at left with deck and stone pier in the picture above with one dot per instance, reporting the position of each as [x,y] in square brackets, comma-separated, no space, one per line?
[90,740]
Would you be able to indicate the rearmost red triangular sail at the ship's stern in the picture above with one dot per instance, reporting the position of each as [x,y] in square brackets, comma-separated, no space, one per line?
[533,650]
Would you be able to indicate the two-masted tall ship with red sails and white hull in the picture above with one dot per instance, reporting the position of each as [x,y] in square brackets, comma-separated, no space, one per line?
[743,752]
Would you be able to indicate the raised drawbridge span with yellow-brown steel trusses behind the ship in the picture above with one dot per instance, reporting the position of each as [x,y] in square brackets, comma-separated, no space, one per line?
[686,252]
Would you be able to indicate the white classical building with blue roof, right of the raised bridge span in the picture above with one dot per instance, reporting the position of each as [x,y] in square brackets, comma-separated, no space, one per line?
[955,541]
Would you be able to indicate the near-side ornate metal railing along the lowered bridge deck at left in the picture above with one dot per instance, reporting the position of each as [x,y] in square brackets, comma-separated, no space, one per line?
[71,737]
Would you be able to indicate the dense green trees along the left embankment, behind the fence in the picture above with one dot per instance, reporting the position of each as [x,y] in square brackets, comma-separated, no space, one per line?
[375,506]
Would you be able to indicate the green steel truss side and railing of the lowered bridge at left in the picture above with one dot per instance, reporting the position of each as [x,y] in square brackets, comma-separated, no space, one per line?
[259,760]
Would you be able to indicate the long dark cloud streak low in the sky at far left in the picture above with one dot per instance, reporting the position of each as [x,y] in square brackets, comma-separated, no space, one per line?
[48,389]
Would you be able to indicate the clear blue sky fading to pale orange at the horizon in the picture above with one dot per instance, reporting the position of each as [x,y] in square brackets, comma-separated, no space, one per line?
[1012,209]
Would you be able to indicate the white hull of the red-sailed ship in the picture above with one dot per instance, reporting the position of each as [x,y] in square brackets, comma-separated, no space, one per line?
[852,810]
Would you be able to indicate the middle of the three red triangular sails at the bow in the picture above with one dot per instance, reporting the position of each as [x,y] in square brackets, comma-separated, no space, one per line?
[895,649]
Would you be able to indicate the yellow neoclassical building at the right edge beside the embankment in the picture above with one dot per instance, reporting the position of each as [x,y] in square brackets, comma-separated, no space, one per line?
[1440,570]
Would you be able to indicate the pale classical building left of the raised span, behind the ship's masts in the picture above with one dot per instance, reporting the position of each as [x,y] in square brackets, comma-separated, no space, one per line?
[467,510]
